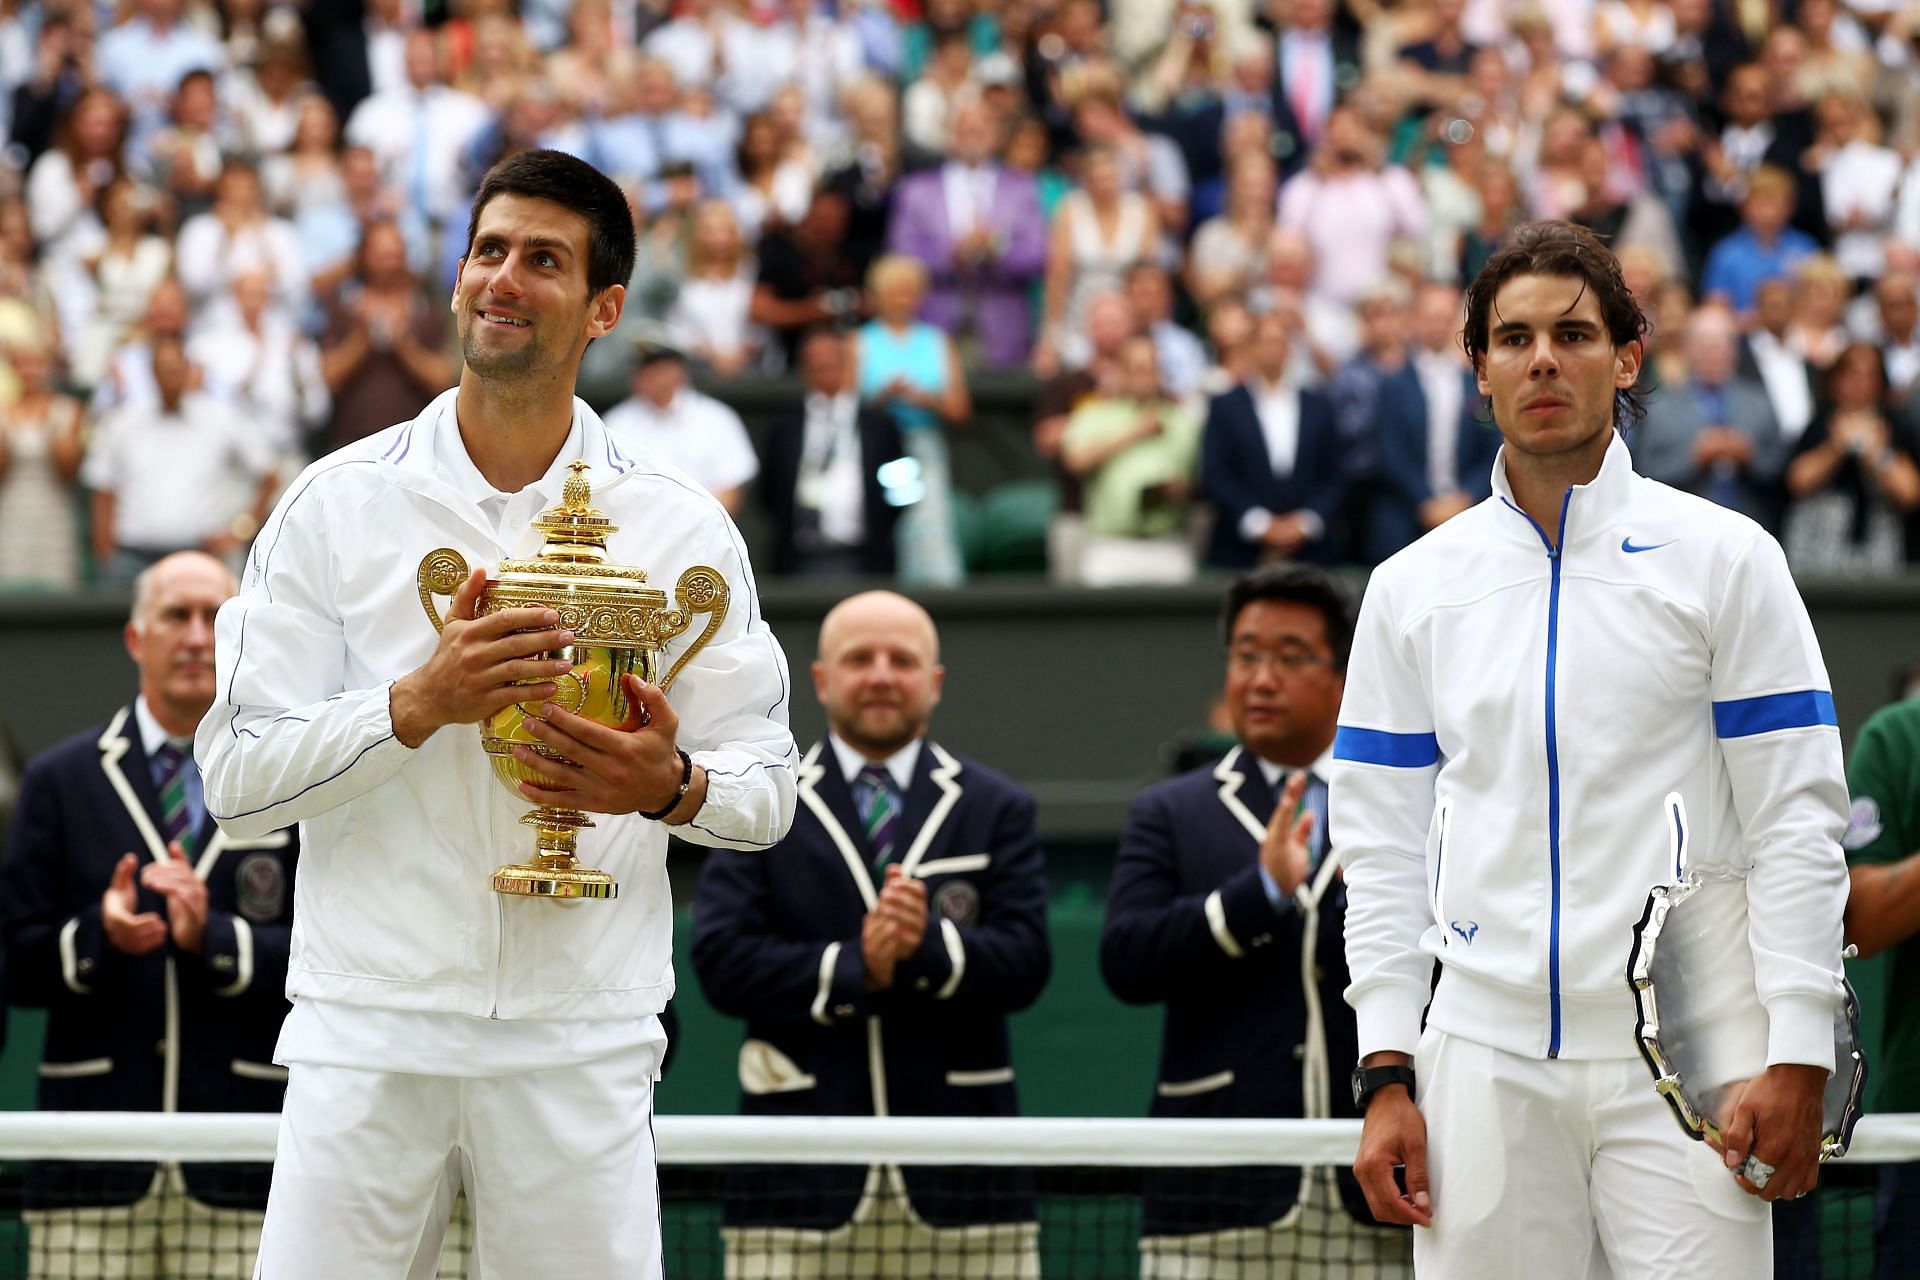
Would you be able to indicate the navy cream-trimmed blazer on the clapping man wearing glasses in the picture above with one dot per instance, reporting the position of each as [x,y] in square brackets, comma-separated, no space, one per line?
[1255,1016]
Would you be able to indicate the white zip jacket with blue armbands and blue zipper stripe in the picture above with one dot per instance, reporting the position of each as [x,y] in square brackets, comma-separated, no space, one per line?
[1533,740]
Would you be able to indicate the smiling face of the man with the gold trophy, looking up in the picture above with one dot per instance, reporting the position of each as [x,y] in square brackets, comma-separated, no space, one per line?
[521,302]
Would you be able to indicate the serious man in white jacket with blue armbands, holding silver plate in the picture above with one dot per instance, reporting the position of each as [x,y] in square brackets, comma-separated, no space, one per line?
[1577,692]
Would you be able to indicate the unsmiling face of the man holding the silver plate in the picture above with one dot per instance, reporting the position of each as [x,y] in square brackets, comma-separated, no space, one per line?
[1550,367]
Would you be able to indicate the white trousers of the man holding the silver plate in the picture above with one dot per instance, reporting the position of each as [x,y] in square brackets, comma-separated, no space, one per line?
[1568,1170]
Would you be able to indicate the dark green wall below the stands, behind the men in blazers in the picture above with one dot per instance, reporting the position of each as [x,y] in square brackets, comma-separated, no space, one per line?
[1076,694]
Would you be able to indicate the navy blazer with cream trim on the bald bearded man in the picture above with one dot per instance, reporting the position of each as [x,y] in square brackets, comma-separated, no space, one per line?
[777,941]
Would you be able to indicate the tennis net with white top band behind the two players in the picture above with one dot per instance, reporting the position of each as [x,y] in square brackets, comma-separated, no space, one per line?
[116,1195]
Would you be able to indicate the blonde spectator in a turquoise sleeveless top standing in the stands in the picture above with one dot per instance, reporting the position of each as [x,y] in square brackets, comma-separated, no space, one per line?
[911,369]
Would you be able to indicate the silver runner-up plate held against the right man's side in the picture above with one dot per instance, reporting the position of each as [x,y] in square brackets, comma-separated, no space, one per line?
[1702,1028]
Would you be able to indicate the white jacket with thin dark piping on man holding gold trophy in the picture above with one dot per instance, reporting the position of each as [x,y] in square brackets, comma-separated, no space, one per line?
[393,907]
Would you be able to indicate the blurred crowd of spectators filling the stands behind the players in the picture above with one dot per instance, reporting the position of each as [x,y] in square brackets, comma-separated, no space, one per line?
[1220,241]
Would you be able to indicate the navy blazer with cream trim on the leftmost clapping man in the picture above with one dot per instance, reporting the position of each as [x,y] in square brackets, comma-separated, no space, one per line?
[168,1031]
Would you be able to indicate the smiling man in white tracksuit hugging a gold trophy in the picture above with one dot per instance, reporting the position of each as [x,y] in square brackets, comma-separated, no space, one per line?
[475,1005]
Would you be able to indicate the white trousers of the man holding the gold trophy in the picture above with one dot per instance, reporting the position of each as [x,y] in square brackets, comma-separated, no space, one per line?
[558,1170]
